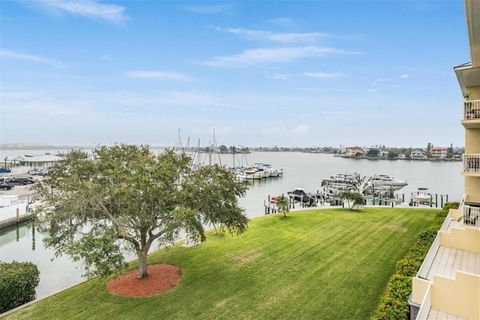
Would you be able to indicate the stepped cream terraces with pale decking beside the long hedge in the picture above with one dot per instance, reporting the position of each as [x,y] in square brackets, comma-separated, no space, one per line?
[450,270]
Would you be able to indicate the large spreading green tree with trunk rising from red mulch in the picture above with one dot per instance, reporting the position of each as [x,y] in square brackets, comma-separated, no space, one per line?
[127,199]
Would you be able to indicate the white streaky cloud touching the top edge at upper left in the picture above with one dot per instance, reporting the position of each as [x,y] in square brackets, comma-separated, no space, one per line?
[92,9]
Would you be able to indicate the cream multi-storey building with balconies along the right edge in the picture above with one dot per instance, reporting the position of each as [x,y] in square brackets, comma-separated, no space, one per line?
[447,285]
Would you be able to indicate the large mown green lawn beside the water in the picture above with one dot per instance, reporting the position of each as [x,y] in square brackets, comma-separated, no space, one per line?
[319,264]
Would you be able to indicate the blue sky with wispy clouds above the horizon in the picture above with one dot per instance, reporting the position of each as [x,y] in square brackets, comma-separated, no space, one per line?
[259,73]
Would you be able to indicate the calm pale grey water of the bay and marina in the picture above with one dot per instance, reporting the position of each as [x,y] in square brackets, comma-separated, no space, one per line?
[300,170]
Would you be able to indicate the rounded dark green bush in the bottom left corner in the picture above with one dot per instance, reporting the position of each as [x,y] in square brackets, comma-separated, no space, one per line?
[18,281]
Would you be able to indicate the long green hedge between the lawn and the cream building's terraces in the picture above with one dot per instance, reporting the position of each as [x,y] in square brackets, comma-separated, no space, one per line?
[394,304]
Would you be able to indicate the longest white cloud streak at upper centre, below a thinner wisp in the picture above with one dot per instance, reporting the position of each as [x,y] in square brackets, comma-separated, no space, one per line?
[268,55]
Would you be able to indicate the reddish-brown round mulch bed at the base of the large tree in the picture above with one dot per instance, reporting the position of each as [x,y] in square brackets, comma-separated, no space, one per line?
[161,277]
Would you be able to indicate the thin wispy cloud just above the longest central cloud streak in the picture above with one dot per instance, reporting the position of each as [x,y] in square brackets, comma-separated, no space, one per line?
[288,37]
